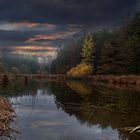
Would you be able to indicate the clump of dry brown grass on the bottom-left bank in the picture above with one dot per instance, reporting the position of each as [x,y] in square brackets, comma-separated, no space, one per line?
[7,115]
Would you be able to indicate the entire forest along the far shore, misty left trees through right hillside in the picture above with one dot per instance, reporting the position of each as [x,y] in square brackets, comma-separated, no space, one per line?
[106,52]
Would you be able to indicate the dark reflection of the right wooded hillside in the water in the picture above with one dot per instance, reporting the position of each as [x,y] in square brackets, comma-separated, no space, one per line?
[99,105]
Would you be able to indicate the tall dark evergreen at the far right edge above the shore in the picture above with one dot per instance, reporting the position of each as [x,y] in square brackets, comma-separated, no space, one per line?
[133,44]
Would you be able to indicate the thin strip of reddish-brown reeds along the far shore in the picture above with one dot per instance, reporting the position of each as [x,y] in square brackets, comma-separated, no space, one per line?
[107,79]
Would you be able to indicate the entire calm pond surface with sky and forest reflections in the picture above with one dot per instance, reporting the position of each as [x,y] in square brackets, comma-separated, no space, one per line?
[73,111]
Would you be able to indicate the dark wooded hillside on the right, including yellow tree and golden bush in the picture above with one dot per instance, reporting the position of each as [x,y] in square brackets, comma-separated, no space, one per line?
[104,52]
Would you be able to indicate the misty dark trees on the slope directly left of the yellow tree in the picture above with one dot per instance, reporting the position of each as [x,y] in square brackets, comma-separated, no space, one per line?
[67,57]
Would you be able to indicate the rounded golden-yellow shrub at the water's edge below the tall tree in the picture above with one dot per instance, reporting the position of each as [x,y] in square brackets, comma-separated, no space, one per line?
[80,70]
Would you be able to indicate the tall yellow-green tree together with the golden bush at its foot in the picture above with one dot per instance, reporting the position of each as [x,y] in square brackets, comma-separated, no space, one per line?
[85,68]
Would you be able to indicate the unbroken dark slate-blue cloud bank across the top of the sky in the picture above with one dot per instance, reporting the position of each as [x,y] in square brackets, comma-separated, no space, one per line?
[66,11]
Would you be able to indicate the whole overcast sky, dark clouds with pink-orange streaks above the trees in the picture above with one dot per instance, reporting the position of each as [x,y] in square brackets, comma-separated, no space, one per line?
[38,27]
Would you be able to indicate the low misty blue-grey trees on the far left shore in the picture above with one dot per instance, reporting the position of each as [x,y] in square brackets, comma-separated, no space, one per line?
[16,64]
